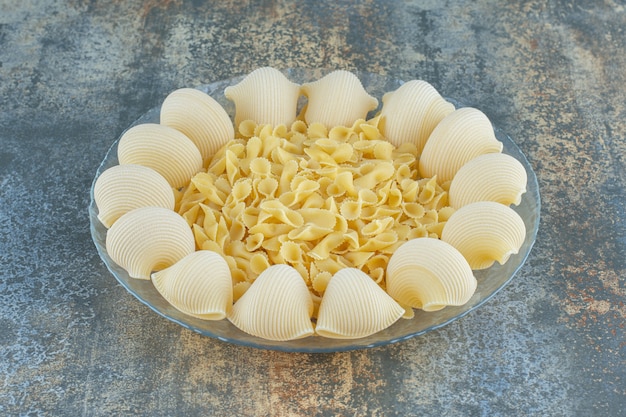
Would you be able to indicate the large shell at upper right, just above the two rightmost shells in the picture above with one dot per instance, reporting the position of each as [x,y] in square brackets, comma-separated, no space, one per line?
[460,137]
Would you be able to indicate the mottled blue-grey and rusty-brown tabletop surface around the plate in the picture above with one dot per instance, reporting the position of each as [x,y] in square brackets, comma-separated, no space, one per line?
[75,74]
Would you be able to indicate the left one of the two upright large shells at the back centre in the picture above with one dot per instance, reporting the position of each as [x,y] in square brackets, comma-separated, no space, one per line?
[265,96]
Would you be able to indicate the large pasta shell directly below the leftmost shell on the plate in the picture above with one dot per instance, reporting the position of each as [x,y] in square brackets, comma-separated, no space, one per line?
[149,239]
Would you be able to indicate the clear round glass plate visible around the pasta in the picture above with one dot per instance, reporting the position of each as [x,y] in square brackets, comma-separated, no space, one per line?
[490,281]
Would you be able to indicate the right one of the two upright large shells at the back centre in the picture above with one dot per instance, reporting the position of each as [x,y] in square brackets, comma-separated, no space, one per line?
[337,99]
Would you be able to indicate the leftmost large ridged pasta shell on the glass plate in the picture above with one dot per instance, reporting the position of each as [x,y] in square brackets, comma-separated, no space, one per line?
[122,188]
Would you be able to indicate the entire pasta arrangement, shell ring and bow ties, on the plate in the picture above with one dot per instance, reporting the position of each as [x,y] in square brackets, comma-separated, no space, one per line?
[320,221]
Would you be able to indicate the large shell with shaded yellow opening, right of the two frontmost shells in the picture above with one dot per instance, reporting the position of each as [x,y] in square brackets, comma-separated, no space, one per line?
[429,274]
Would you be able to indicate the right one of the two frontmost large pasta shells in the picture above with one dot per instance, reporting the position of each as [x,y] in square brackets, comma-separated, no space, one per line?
[354,306]
